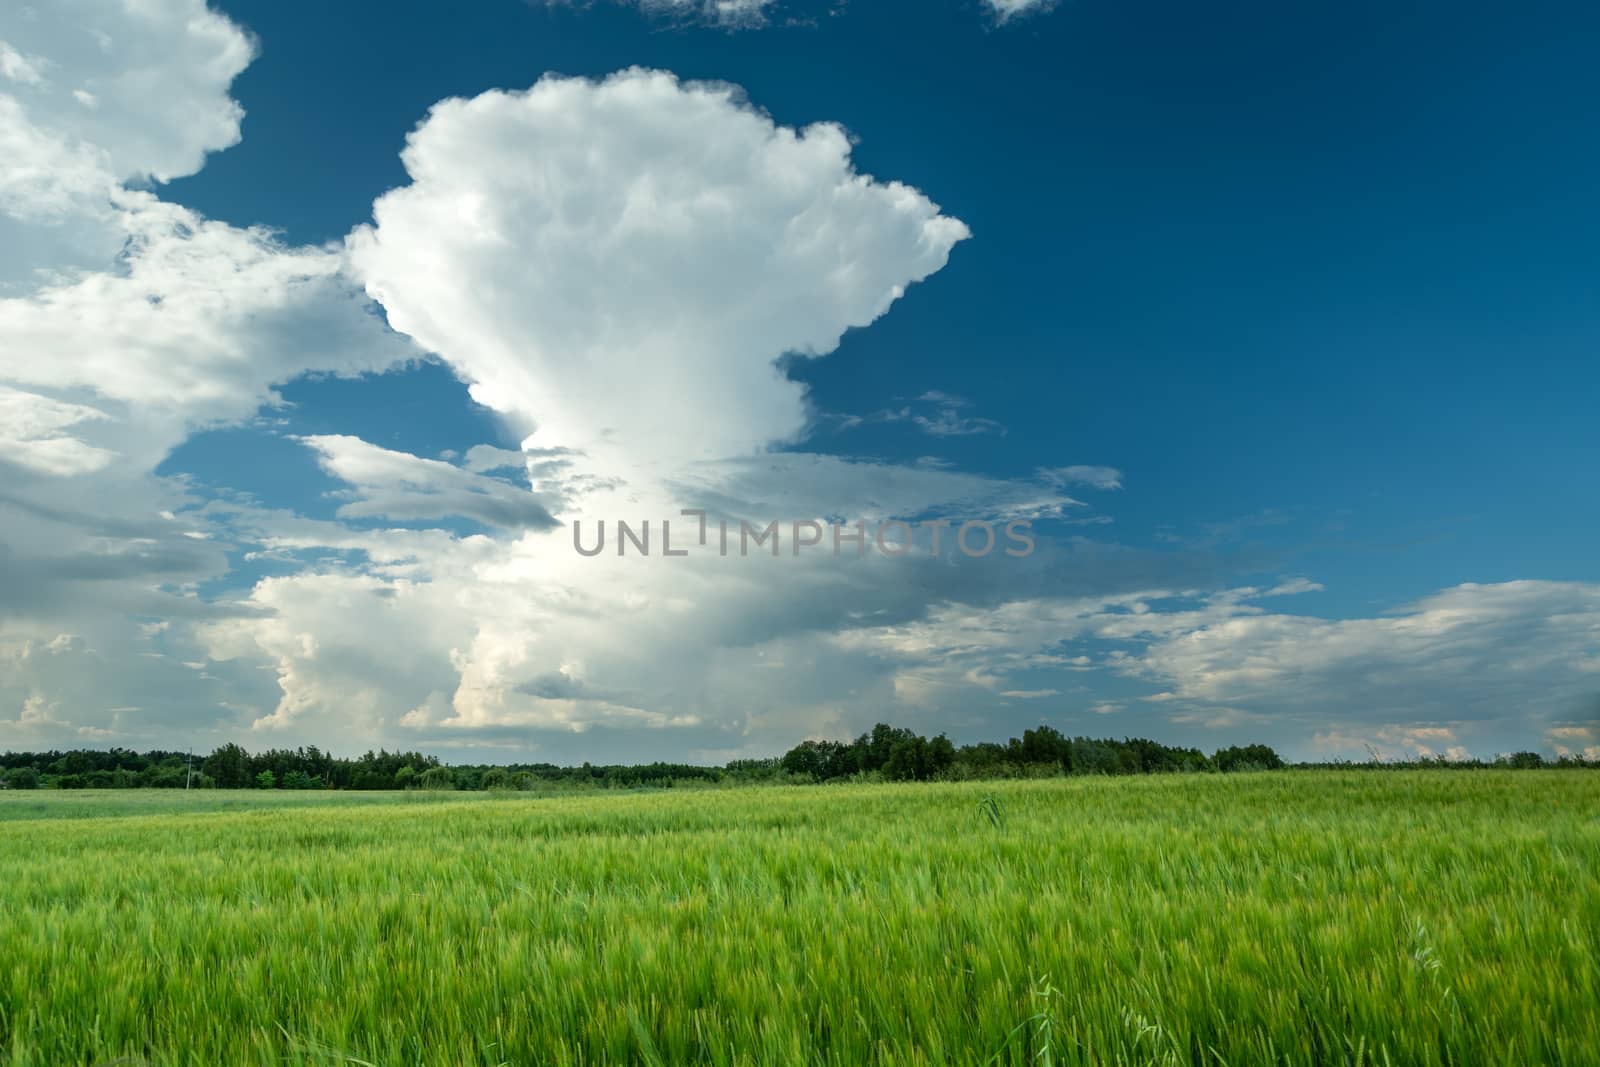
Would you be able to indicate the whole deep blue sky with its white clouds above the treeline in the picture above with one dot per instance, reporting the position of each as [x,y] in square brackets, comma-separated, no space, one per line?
[1276,322]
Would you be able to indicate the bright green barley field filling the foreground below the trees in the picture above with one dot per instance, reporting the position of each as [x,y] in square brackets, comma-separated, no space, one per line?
[1350,917]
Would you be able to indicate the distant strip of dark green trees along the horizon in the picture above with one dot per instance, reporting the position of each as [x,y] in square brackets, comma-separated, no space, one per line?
[881,754]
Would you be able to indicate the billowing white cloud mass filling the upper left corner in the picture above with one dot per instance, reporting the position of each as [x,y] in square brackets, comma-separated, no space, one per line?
[193,322]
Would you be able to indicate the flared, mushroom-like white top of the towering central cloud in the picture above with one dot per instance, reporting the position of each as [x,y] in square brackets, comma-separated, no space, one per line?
[665,244]
